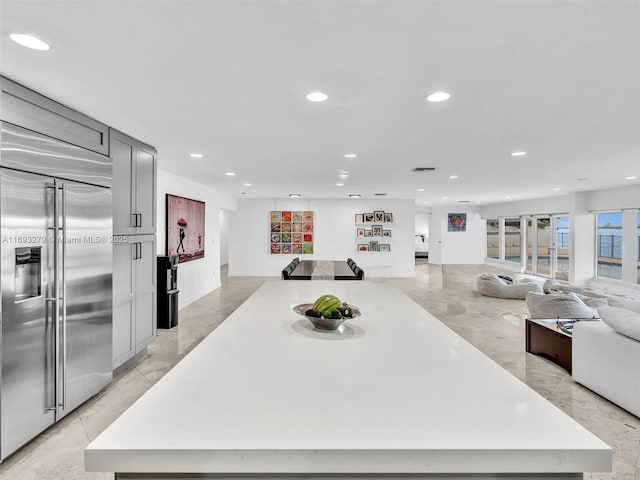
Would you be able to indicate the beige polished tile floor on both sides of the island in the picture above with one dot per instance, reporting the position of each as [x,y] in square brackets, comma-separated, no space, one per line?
[494,326]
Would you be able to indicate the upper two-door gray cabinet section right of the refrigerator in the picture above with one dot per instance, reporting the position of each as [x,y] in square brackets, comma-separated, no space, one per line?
[134,185]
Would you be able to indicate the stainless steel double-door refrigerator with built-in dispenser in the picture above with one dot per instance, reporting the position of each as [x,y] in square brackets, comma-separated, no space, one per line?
[56,268]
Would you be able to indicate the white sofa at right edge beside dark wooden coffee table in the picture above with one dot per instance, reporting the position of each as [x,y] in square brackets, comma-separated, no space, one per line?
[607,362]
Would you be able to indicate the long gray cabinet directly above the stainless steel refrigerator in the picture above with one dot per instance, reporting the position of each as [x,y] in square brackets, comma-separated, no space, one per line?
[29,109]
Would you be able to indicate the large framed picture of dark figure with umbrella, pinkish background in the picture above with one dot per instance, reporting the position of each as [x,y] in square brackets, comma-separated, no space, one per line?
[185,228]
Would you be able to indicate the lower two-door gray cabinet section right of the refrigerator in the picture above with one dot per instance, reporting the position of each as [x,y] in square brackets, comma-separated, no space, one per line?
[134,296]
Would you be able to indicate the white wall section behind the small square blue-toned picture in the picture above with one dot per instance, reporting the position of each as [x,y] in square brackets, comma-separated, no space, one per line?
[457,247]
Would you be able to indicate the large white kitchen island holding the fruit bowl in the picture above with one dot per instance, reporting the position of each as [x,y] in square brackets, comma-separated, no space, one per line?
[394,394]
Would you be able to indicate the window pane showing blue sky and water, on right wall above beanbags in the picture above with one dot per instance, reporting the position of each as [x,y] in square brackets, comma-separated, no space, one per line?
[609,245]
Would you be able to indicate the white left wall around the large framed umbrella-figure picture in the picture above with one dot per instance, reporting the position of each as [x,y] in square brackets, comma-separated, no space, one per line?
[198,277]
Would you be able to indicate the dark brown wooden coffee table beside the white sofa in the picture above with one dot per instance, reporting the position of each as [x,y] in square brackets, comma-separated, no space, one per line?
[545,338]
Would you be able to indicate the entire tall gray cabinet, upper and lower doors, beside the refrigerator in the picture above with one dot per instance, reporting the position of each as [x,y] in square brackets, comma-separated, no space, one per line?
[134,252]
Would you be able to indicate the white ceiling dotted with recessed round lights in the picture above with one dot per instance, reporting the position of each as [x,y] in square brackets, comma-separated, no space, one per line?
[559,79]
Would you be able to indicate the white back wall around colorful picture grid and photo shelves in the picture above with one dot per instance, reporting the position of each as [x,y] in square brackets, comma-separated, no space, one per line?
[334,235]
